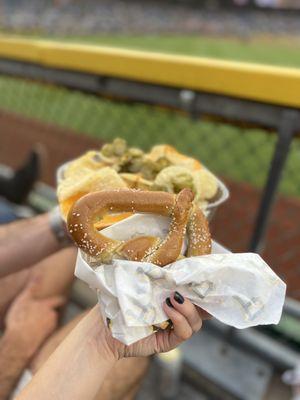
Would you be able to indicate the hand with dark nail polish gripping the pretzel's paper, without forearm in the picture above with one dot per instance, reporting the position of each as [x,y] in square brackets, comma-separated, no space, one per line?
[186,319]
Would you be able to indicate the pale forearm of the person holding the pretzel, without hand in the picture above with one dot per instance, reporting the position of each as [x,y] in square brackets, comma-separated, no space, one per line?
[77,369]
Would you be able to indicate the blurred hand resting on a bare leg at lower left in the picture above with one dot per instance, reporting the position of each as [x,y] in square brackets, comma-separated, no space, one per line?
[30,321]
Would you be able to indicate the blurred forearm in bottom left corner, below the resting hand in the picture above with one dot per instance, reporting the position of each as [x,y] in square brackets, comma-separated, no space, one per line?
[13,360]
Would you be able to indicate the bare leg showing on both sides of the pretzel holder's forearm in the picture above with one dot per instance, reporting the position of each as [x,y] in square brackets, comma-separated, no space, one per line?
[123,381]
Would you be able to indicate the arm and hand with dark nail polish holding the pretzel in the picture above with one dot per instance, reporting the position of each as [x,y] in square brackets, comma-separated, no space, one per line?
[92,352]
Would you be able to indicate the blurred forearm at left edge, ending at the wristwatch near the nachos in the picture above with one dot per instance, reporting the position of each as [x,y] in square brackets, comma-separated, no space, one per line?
[25,243]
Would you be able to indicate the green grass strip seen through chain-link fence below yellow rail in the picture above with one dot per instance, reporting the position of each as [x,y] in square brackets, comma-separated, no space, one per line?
[240,154]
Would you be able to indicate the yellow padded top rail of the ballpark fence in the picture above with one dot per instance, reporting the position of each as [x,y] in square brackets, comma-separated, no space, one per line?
[260,83]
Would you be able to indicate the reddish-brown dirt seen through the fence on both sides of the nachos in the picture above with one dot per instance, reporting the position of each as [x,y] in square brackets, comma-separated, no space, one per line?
[233,222]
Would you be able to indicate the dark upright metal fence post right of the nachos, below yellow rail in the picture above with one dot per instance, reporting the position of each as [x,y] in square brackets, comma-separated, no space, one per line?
[286,130]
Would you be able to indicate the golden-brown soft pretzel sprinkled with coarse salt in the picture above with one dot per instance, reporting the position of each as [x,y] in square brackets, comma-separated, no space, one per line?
[88,209]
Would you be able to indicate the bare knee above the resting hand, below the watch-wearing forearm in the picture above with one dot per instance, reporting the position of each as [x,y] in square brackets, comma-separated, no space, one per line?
[54,275]
